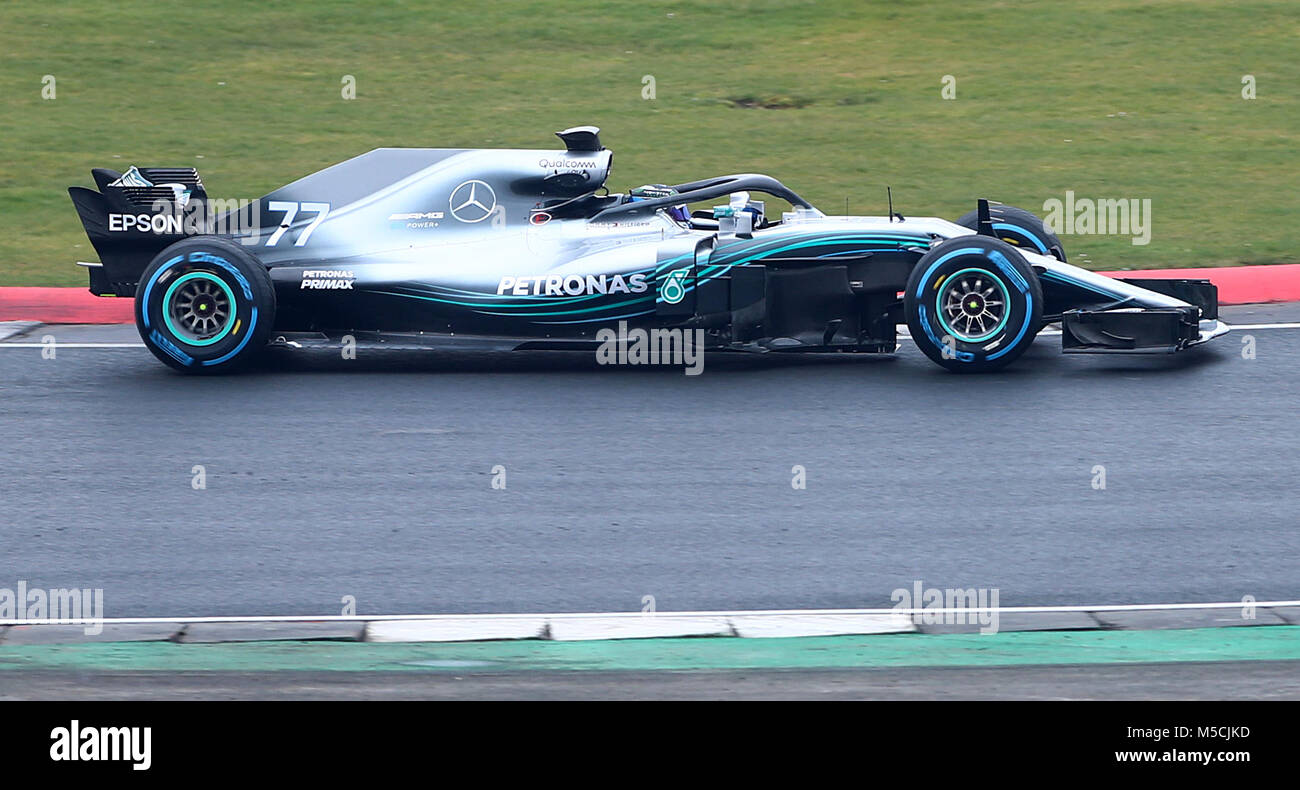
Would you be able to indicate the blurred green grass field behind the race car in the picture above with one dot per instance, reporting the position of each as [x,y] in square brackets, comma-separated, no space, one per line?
[1110,99]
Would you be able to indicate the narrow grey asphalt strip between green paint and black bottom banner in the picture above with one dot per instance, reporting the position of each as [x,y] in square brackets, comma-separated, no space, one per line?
[1188,682]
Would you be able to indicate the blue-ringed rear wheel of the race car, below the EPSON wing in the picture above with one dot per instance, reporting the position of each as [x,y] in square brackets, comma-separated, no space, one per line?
[205,306]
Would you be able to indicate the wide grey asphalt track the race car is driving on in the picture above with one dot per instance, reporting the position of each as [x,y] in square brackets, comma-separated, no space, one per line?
[372,479]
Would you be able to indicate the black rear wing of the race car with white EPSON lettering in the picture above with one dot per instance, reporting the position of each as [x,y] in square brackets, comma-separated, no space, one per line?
[132,218]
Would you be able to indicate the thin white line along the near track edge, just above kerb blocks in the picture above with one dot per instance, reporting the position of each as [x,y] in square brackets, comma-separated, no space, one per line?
[1141,607]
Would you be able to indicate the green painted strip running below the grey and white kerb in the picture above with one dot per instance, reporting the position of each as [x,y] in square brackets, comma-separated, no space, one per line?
[1016,649]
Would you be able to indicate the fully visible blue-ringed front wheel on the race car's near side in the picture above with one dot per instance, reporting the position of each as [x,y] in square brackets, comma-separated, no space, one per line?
[973,305]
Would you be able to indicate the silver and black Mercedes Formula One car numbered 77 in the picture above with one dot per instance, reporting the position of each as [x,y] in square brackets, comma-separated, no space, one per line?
[528,250]
